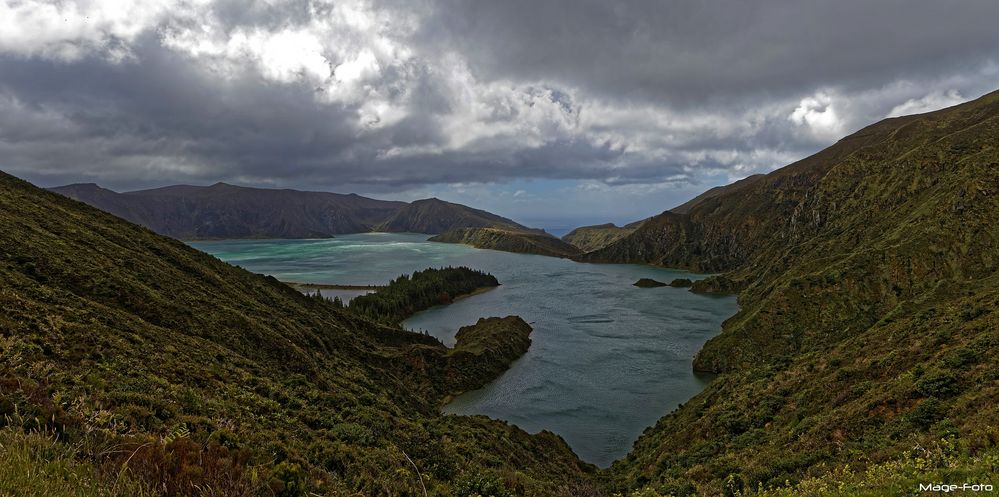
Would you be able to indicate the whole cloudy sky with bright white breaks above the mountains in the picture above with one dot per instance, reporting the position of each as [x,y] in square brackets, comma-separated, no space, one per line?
[554,113]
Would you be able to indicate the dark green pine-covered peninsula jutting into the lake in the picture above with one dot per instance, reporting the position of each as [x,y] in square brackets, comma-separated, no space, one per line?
[407,294]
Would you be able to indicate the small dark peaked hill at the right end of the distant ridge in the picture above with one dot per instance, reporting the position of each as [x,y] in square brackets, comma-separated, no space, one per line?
[435,216]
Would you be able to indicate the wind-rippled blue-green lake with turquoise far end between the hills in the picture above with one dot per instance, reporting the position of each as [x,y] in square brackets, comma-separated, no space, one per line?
[607,360]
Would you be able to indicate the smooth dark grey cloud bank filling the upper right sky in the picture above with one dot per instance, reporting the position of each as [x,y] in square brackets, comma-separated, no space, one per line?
[688,52]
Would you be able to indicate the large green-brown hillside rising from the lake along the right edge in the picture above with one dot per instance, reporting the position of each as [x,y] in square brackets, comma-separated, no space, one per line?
[869,296]
